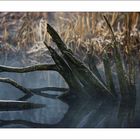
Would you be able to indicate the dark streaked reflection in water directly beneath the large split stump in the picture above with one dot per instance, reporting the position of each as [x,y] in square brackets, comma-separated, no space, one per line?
[86,113]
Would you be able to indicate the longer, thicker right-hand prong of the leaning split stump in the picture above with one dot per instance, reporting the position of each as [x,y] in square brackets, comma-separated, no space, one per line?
[86,77]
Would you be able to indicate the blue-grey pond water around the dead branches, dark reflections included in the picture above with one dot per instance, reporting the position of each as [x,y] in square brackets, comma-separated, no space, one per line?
[92,113]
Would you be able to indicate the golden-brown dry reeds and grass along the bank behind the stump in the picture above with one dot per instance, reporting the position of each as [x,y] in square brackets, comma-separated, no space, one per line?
[80,30]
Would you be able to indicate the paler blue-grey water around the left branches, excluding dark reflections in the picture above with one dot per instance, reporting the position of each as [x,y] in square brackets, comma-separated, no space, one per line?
[54,110]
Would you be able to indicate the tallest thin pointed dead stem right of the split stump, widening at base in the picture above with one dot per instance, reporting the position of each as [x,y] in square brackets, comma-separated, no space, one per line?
[126,89]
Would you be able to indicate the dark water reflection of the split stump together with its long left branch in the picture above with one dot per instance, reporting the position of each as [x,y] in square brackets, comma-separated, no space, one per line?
[88,113]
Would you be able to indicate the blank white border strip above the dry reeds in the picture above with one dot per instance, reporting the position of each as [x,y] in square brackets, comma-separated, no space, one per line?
[70,6]
